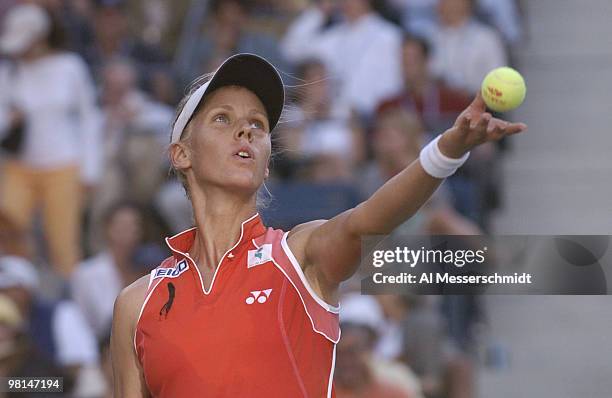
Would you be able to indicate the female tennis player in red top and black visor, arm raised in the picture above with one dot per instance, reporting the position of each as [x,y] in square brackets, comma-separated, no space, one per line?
[241,310]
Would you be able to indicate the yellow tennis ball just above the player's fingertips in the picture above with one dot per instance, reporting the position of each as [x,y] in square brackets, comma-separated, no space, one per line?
[503,89]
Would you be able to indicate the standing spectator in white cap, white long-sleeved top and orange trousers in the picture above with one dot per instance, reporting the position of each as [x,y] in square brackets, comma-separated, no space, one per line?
[47,94]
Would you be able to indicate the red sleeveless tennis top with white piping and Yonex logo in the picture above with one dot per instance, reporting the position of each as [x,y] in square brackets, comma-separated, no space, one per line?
[259,332]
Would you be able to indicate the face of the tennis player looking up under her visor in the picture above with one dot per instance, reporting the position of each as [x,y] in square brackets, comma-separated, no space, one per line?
[230,141]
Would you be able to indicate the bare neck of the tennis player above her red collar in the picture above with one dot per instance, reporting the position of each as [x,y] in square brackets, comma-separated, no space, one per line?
[218,216]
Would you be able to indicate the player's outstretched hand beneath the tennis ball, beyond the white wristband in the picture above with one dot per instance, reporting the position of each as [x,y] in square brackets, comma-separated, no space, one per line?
[474,127]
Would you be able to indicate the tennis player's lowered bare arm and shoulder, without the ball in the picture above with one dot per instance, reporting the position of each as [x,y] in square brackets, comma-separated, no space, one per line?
[127,373]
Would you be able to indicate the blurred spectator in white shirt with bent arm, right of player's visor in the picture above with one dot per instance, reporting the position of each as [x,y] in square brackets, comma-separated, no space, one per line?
[362,53]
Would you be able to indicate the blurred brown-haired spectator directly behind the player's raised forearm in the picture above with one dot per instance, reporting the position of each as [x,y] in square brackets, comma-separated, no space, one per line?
[397,141]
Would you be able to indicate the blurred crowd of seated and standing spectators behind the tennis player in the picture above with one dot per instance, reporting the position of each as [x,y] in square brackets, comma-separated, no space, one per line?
[87,96]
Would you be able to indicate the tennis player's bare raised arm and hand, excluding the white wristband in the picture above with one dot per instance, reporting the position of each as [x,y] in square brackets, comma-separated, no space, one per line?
[329,250]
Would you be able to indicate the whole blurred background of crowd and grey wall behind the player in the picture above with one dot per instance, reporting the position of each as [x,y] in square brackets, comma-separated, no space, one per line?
[88,90]
